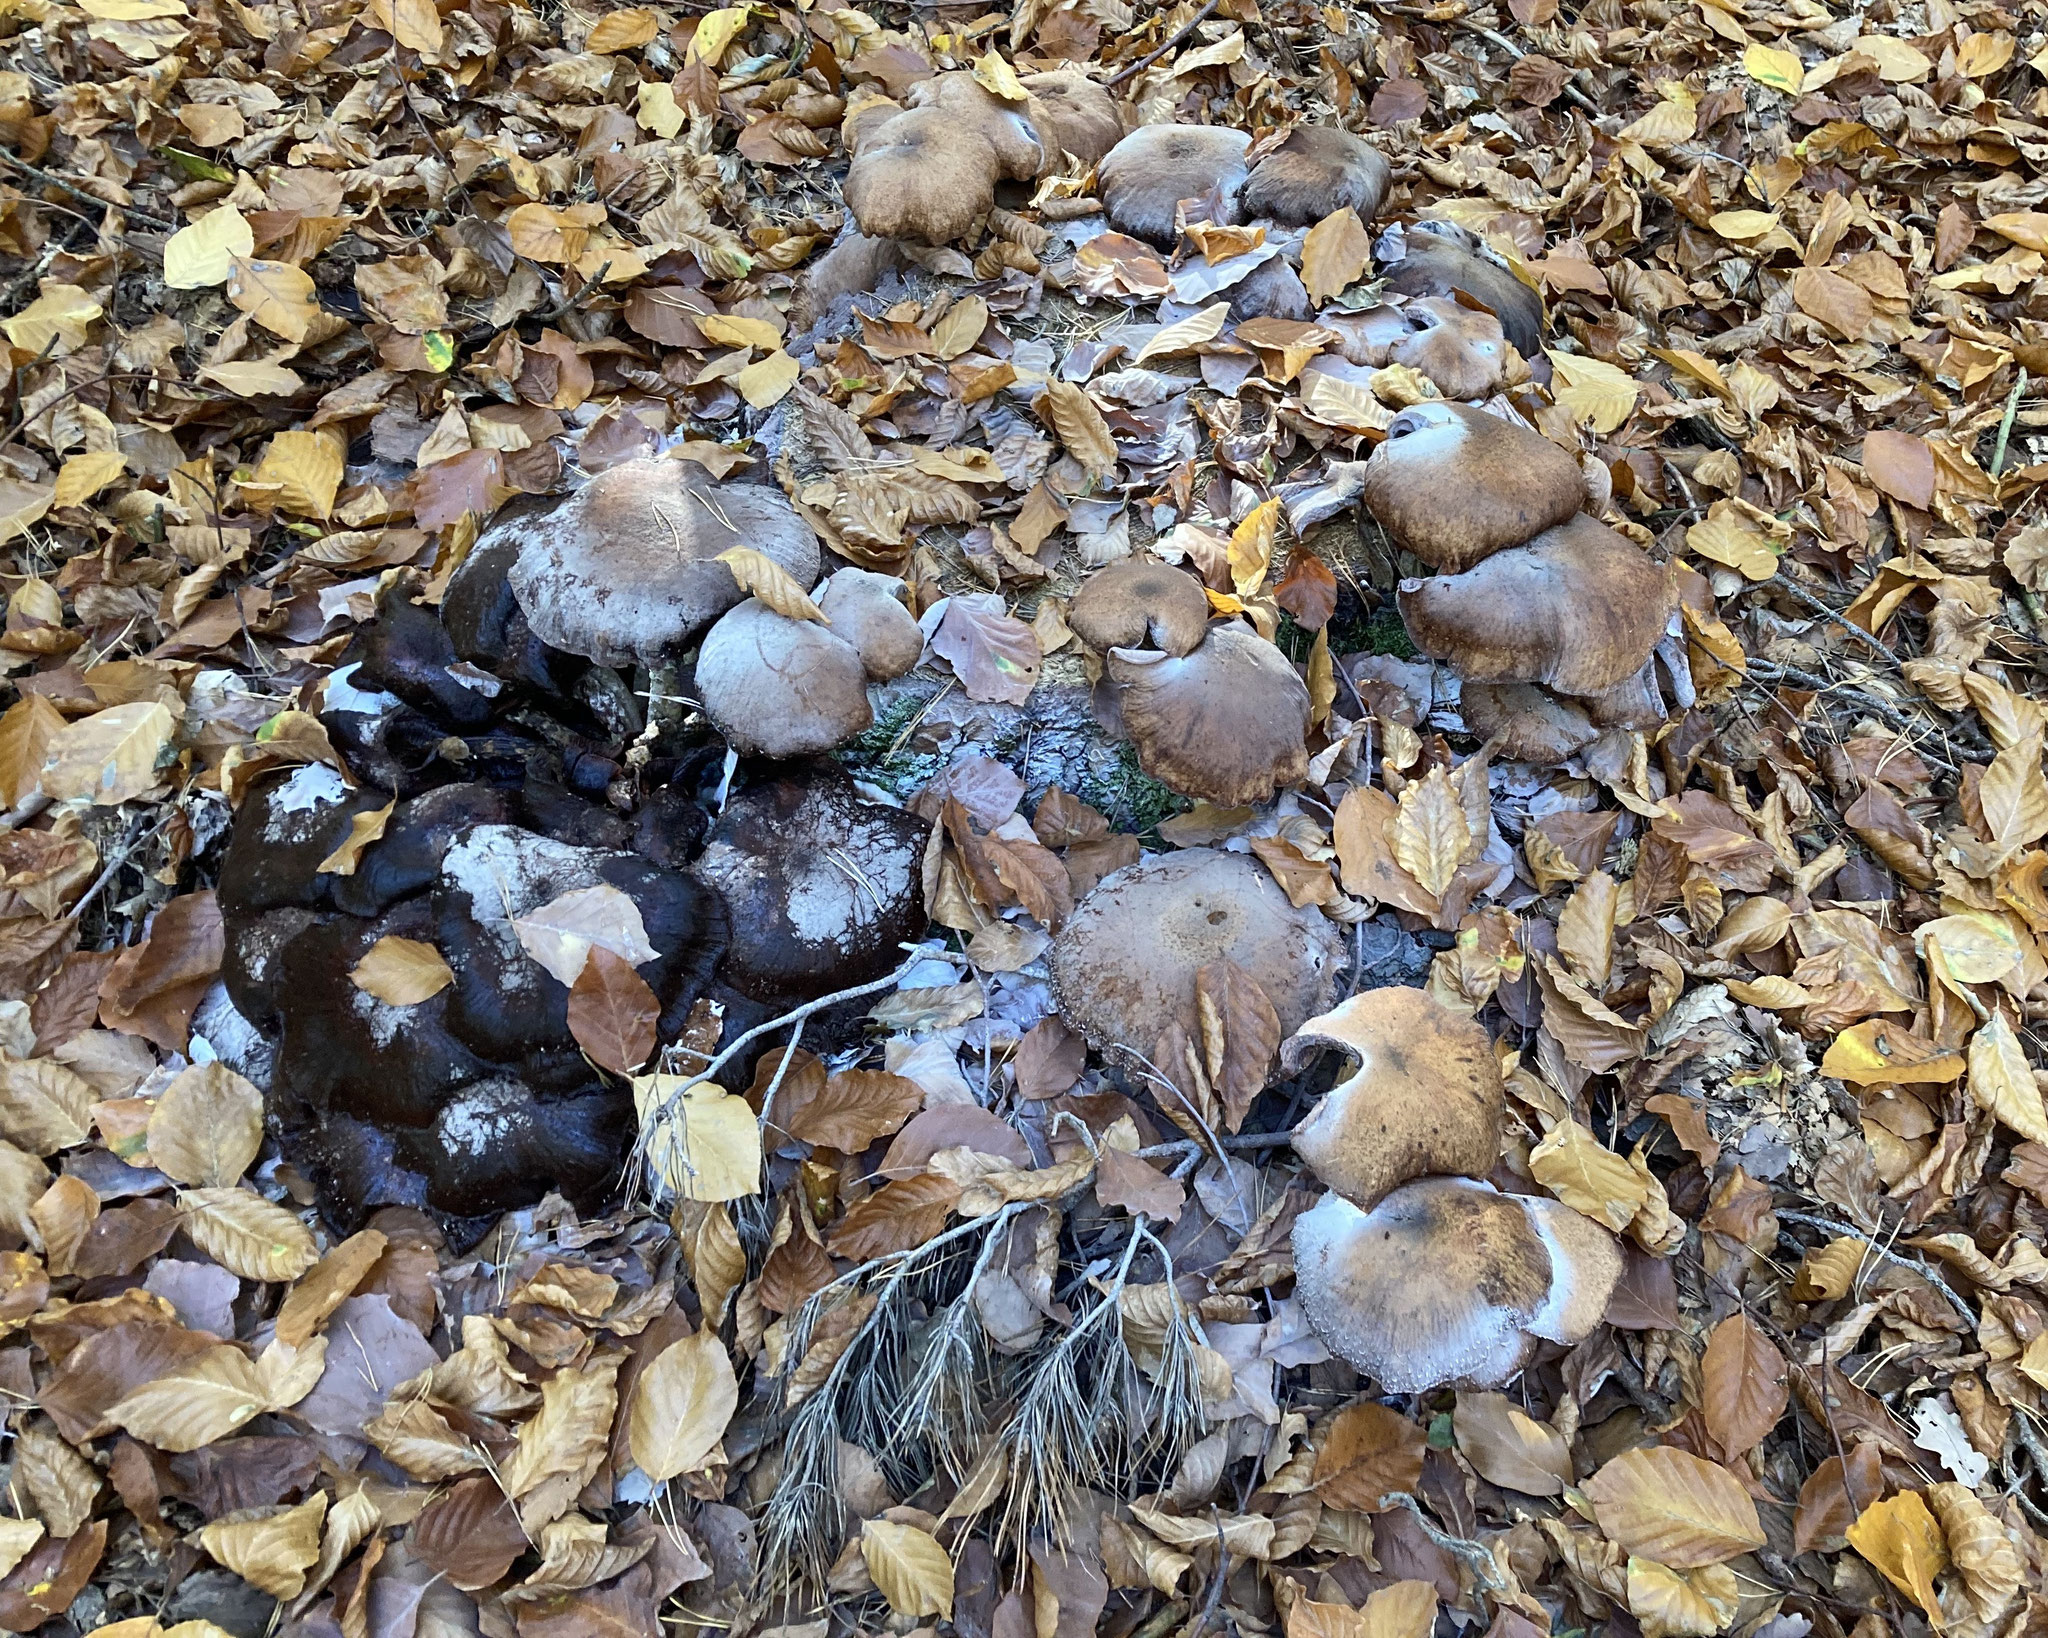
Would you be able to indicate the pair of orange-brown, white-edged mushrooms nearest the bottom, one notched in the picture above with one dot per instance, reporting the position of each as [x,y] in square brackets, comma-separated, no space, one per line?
[1414,1268]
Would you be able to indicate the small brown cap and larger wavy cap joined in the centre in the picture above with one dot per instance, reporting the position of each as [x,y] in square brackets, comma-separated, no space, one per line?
[1213,709]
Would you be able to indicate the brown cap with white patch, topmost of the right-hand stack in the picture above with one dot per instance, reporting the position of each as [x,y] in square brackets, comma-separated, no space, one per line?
[1455,484]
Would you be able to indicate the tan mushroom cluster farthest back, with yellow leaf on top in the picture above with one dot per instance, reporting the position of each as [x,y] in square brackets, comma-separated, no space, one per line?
[927,169]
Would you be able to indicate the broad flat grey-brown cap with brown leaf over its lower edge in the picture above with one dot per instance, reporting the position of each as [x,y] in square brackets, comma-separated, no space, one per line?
[1125,961]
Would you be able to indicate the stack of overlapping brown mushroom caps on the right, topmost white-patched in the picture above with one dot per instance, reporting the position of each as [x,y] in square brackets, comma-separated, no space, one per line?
[1547,615]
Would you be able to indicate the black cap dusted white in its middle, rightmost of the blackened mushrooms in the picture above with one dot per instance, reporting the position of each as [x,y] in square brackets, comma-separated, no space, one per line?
[822,888]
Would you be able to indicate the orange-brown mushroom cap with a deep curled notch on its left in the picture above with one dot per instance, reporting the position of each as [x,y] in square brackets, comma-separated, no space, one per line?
[1424,1101]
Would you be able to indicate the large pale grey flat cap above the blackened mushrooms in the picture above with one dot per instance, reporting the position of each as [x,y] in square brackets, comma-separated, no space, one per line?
[624,568]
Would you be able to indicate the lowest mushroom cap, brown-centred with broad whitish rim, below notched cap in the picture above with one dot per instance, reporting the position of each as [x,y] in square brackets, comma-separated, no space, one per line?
[1435,1285]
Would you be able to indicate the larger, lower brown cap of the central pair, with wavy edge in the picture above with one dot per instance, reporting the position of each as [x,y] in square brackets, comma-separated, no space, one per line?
[1226,724]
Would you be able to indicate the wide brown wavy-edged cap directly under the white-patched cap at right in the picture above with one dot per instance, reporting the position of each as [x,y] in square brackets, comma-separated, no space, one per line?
[1578,609]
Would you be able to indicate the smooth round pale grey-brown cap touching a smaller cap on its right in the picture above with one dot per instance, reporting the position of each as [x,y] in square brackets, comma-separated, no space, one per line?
[777,687]
